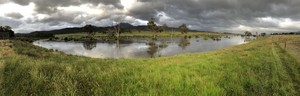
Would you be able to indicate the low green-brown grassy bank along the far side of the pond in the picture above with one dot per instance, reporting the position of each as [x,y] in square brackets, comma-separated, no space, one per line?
[99,36]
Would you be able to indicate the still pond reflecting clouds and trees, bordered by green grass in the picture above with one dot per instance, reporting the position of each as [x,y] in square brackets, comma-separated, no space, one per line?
[142,47]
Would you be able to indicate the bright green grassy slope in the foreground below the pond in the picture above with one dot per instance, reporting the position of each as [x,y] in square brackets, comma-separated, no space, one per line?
[258,68]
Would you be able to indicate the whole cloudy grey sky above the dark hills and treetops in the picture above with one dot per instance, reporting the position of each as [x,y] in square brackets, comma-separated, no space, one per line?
[235,16]
